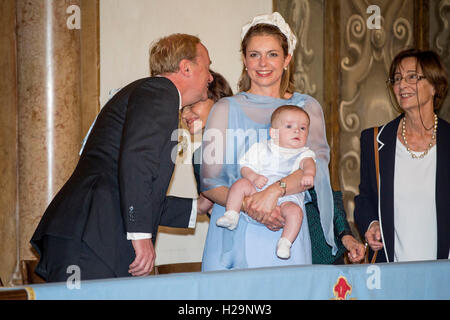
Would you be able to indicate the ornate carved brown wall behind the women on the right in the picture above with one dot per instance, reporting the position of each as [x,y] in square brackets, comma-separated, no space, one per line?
[343,59]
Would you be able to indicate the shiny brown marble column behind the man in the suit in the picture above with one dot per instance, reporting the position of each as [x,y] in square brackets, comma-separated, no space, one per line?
[49,117]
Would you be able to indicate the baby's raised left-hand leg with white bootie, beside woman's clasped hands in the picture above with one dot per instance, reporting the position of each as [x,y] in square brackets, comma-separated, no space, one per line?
[238,191]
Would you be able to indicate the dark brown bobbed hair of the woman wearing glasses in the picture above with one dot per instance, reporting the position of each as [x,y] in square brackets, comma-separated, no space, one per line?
[432,69]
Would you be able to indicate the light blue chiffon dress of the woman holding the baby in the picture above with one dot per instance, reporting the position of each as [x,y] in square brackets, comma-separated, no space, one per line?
[235,123]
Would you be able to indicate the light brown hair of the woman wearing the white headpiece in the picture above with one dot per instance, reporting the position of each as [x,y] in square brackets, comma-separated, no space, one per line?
[287,80]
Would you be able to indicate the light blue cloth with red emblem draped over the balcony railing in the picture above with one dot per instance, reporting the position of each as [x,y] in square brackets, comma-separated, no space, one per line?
[418,280]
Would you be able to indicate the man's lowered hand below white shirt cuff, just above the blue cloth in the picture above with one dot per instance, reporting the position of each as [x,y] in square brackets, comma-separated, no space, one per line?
[145,257]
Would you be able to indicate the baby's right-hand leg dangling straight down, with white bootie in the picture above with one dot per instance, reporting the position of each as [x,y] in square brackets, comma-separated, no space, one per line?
[293,215]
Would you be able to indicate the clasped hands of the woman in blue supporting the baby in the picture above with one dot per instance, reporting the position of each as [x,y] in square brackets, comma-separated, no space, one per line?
[262,207]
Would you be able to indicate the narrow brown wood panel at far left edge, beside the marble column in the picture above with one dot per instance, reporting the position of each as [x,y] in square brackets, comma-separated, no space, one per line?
[8,141]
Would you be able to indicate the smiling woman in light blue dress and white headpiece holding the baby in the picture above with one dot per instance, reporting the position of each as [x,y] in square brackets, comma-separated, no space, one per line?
[234,124]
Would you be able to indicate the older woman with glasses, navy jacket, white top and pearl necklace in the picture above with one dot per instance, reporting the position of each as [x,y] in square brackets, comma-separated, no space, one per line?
[408,218]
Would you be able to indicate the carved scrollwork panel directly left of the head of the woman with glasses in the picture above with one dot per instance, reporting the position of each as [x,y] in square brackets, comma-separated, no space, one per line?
[366,57]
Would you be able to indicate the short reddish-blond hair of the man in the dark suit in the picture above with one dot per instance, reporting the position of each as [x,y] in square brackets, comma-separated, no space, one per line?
[167,53]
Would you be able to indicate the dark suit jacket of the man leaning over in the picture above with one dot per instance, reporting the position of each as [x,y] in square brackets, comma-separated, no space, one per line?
[121,179]
